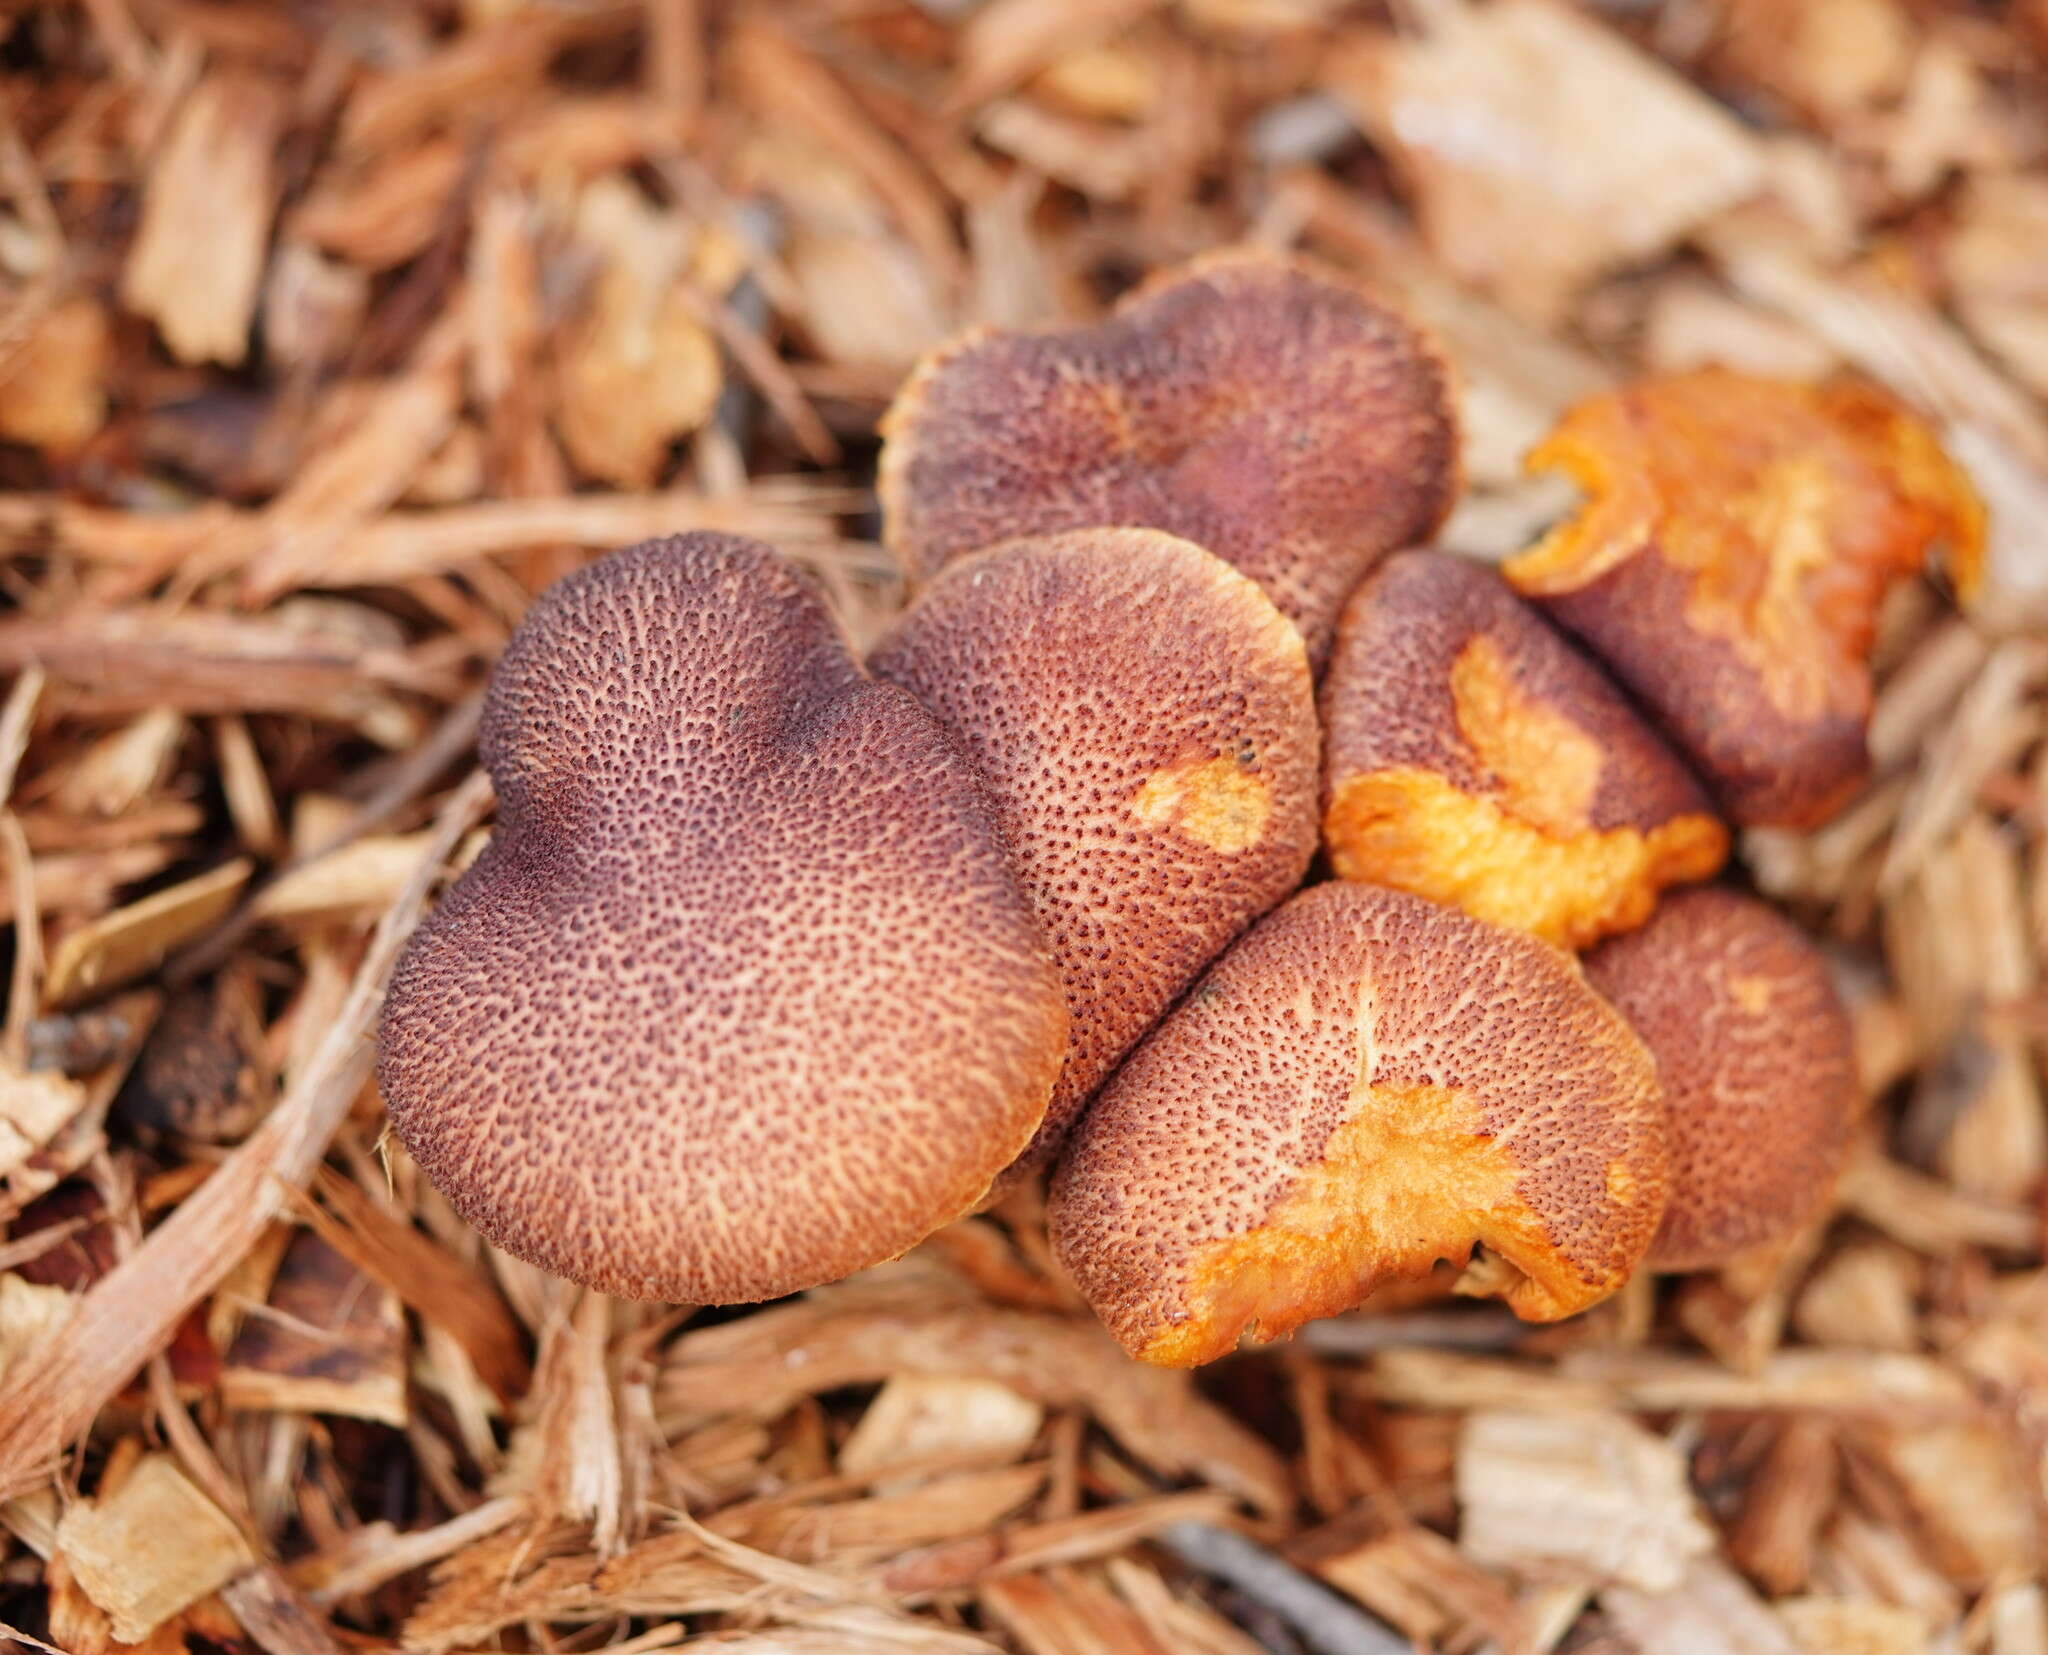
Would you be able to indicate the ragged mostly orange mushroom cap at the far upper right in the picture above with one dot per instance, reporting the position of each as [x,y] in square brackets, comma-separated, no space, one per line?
[1727,566]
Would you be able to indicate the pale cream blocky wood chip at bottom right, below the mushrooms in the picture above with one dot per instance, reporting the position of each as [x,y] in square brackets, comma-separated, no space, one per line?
[1586,1498]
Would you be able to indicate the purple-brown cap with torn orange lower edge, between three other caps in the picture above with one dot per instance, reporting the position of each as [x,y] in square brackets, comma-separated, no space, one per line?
[1476,759]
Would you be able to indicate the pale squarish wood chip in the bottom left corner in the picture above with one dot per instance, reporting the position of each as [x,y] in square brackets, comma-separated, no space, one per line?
[151,1550]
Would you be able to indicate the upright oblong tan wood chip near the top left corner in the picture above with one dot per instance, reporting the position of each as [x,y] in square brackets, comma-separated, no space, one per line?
[196,267]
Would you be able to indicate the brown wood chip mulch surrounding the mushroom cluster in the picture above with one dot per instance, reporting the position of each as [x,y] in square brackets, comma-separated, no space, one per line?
[333,333]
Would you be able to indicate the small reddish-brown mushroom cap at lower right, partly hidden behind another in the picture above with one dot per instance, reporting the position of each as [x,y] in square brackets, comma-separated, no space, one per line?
[1756,1060]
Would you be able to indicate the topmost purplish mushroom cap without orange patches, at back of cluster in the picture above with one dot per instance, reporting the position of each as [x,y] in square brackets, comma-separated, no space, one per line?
[1254,405]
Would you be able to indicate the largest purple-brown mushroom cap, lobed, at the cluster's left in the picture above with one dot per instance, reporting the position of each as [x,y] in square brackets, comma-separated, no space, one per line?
[742,996]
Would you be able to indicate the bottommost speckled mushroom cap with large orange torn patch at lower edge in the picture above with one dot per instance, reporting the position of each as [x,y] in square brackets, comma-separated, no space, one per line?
[1363,1087]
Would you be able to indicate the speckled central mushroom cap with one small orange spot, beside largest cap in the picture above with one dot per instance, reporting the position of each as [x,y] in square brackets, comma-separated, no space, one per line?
[1144,720]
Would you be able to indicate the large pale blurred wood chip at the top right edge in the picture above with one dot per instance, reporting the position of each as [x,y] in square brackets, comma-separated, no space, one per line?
[1543,148]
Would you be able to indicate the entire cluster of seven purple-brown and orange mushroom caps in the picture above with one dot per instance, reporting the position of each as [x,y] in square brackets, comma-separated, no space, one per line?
[781,962]
